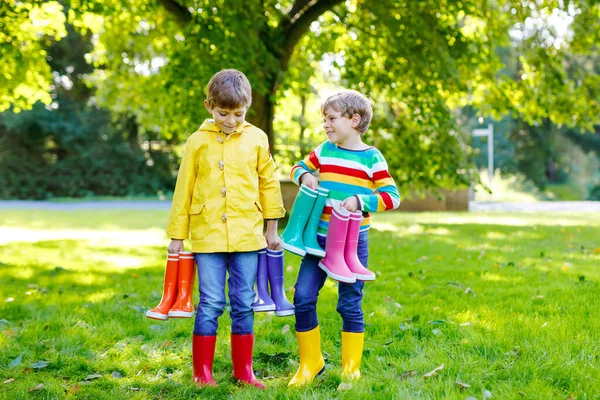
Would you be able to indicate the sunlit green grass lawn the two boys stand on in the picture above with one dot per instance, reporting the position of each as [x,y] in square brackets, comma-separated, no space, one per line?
[508,303]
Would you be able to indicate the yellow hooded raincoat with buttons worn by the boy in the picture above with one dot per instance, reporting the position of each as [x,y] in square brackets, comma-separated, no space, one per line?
[225,188]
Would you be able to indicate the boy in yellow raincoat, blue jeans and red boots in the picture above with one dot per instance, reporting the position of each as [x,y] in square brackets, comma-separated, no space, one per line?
[226,189]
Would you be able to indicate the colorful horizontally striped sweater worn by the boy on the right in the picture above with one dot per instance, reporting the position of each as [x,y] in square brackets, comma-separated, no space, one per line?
[346,173]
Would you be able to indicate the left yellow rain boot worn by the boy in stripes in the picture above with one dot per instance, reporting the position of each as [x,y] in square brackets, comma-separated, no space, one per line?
[311,359]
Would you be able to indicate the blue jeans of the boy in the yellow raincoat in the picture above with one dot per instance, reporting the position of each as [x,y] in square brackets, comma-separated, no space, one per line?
[242,268]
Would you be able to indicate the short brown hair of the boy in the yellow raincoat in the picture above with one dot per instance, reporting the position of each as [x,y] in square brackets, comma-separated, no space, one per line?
[229,89]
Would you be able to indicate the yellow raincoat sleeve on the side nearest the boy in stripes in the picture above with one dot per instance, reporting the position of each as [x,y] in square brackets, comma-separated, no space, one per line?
[268,184]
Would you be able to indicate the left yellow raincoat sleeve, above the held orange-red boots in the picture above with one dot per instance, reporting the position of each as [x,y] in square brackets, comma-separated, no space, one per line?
[179,218]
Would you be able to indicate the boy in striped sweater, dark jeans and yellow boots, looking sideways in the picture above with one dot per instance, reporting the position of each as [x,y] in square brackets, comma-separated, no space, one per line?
[357,178]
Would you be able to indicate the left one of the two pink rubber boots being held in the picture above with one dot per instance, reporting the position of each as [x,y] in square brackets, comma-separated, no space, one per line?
[333,263]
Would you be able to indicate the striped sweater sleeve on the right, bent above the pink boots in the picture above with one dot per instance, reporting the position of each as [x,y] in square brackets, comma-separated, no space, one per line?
[386,196]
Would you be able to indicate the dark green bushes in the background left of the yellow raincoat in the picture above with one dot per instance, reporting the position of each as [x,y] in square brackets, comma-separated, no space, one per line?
[76,151]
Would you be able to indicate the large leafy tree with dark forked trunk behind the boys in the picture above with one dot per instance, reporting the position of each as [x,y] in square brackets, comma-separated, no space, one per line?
[419,60]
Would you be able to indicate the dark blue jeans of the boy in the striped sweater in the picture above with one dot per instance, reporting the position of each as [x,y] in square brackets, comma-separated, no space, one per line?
[310,281]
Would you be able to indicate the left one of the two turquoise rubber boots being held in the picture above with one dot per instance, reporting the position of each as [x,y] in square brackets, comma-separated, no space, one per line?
[291,238]
